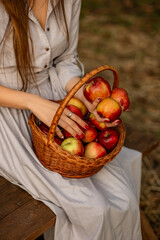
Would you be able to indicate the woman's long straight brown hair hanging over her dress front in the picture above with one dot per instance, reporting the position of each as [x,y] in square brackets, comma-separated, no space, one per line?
[22,41]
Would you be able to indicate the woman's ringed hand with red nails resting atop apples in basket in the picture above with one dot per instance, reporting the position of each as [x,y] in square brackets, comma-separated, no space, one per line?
[45,110]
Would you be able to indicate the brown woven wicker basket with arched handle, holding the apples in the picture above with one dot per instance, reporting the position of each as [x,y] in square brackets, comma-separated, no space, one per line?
[54,157]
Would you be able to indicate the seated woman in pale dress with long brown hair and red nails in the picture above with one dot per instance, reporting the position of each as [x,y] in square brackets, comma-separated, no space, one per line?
[39,61]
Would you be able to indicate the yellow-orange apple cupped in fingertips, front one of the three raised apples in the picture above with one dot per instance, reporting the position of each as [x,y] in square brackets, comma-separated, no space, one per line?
[109,108]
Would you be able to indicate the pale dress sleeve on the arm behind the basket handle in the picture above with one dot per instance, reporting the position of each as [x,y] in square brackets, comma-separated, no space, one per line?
[68,64]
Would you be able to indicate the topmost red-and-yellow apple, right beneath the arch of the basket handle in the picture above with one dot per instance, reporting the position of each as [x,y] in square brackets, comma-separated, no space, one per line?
[96,87]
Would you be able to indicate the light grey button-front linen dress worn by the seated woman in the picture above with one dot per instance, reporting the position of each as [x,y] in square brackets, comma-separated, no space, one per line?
[101,207]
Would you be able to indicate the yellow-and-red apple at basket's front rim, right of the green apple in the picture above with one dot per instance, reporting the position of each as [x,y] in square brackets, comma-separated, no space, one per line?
[94,150]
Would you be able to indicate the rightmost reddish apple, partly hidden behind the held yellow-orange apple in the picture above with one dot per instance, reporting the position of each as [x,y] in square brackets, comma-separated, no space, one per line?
[121,96]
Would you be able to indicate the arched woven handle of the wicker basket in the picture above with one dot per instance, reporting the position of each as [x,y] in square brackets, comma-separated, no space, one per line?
[73,91]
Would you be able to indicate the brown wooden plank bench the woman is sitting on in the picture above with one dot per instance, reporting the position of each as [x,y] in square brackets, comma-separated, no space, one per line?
[24,218]
